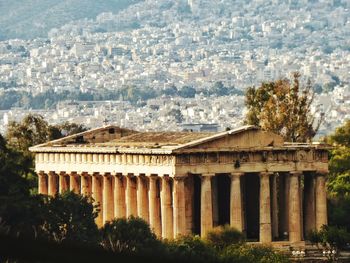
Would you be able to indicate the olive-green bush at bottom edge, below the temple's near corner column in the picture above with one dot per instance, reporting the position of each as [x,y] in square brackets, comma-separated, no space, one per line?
[191,248]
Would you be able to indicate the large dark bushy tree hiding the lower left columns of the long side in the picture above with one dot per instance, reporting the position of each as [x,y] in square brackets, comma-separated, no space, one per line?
[70,218]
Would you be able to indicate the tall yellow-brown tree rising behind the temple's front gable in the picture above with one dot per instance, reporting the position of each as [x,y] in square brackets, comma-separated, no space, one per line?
[283,107]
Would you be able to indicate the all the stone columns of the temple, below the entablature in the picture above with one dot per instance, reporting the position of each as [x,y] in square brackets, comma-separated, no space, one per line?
[161,200]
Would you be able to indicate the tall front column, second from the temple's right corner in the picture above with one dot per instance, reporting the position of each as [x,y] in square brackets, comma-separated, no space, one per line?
[294,207]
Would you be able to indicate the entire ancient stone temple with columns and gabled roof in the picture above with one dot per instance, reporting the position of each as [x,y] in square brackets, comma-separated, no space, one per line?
[187,182]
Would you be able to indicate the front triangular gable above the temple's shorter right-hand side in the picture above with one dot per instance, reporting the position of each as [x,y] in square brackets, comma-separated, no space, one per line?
[243,137]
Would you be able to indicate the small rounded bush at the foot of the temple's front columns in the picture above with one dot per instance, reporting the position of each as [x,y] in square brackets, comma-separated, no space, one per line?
[224,236]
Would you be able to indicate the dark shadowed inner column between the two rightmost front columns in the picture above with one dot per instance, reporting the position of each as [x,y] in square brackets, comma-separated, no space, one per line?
[309,202]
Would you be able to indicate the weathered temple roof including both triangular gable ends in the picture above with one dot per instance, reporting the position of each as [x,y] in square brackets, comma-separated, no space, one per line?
[113,139]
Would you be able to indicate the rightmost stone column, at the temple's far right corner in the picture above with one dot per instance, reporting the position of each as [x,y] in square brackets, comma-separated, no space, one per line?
[321,200]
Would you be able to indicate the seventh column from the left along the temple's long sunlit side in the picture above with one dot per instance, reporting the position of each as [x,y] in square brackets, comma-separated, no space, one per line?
[108,206]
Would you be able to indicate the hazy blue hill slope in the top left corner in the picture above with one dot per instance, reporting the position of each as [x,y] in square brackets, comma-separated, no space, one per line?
[27,19]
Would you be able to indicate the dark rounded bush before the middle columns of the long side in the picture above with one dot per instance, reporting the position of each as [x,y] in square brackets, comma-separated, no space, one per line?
[132,235]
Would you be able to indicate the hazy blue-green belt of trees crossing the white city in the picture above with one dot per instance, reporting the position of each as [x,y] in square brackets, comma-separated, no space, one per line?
[49,99]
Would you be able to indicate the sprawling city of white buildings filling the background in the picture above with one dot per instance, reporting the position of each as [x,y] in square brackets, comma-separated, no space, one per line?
[178,65]
